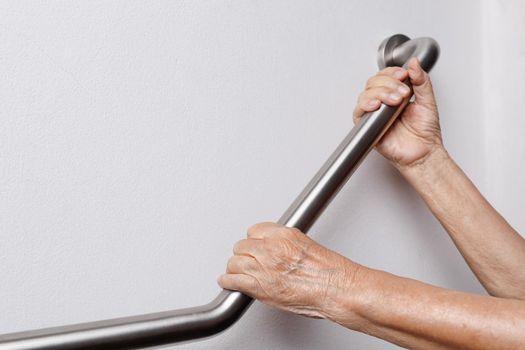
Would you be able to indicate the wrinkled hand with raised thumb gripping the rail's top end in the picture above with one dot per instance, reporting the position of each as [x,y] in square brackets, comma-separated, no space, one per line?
[416,133]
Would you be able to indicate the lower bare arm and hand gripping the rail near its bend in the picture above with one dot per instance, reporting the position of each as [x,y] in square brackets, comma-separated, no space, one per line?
[284,268]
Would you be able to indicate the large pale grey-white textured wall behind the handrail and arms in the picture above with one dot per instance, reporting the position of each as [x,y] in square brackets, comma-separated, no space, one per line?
[140,139]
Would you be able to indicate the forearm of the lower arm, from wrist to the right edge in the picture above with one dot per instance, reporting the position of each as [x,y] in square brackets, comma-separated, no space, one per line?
[419,316]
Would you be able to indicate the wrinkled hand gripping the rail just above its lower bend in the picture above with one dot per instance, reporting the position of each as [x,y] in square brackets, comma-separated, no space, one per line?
[282,267]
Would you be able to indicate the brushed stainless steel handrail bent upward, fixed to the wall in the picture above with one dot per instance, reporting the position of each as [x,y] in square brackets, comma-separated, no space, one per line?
[198,322]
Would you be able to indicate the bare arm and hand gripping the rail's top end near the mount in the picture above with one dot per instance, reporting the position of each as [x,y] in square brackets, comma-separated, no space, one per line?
[492,248]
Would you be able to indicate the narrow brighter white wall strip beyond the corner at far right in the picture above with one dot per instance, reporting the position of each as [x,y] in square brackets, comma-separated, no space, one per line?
[504,59]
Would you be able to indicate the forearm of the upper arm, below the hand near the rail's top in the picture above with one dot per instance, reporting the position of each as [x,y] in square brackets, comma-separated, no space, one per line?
[492,248]
